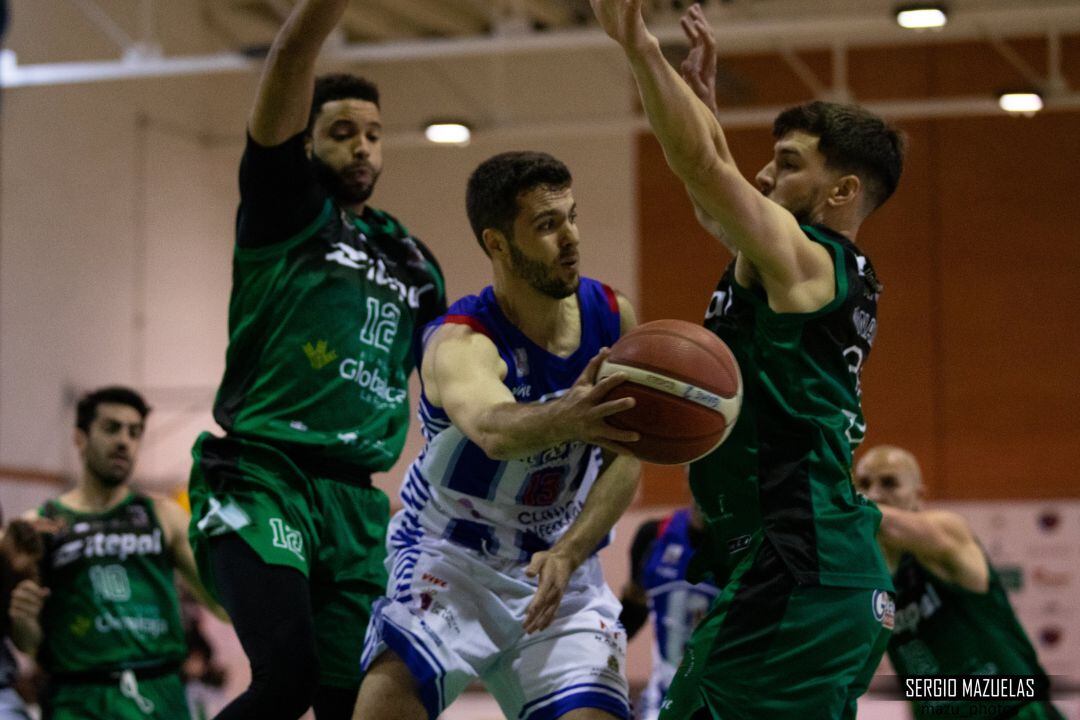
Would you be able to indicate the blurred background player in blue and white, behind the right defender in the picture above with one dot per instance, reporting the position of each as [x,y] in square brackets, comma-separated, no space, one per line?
[660,560]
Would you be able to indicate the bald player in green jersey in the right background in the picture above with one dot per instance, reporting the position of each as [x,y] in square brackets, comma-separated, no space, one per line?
[953,614]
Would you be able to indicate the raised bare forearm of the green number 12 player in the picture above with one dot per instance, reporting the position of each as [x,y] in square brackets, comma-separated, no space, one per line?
[285,97]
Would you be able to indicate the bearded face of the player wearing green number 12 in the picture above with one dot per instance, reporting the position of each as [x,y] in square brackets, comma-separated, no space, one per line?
[347,150]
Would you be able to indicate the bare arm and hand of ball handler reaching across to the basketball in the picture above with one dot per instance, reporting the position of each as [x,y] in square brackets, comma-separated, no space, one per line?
[463,373]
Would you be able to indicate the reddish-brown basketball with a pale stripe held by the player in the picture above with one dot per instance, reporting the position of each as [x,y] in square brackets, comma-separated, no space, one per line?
[687,386]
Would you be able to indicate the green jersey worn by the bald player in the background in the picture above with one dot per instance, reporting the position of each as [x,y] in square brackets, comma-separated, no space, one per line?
[946,630]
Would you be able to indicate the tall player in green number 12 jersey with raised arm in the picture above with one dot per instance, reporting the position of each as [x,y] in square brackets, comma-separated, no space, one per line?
[329,294]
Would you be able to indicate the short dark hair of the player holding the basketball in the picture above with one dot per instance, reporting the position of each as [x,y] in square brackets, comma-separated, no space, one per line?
[495,186]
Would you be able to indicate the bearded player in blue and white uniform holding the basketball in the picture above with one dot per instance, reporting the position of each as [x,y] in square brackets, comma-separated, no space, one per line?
[494,574]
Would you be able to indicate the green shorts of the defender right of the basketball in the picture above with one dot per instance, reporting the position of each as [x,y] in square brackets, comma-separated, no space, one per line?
[771,648]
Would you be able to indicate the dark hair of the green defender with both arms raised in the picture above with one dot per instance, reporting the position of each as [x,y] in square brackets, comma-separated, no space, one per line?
[853,140]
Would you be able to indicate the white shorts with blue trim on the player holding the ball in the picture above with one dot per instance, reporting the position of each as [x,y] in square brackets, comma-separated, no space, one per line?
[455,616]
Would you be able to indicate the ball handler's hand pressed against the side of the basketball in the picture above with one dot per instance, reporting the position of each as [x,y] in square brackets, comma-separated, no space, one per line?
[586,412]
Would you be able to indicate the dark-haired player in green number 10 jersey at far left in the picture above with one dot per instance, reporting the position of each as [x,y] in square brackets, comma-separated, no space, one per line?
[104,622]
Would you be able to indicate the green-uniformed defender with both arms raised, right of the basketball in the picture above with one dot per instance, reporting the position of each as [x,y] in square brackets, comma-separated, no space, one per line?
[805,613]
